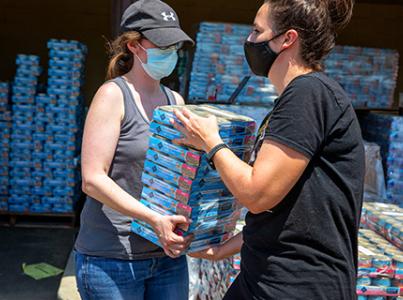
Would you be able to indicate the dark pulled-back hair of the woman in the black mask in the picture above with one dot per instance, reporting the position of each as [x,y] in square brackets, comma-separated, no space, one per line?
[316,21]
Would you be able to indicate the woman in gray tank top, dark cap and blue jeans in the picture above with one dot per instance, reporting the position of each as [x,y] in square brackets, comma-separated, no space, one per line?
[111,261]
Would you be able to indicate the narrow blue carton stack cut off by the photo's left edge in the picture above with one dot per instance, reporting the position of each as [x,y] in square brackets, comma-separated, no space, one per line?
[5,131]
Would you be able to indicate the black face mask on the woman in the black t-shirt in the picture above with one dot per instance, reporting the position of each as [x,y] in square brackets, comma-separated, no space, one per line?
[260,56]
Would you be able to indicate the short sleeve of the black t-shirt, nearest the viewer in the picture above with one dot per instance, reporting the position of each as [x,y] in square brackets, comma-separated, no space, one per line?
[297,120]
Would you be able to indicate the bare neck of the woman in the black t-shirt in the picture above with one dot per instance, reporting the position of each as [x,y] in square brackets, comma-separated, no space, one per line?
[284,71]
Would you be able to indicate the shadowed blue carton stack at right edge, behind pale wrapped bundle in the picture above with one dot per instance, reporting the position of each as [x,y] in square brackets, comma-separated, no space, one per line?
[387,132]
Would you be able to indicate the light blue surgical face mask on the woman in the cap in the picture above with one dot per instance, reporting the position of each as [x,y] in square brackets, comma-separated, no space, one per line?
[160,63]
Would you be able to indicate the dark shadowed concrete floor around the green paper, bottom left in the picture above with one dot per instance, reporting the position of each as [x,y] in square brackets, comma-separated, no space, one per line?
[32,245]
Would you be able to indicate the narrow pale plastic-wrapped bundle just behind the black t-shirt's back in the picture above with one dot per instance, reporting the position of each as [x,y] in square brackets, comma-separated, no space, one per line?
[374,174]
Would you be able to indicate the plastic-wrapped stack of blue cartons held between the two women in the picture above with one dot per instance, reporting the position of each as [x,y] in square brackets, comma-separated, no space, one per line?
[178,179]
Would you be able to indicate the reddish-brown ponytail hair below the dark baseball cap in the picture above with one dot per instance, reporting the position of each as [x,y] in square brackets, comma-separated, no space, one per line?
[121,59]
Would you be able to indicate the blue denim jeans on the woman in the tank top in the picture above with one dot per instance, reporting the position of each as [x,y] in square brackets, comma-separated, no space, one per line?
[150,279]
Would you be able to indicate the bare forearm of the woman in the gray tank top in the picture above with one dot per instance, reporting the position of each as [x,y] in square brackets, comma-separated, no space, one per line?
[102,188]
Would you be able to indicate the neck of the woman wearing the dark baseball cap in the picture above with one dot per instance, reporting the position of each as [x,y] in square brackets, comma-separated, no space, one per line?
[141,81]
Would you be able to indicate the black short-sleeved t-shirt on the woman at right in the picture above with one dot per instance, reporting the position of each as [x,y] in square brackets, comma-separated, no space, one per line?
[306,248]
